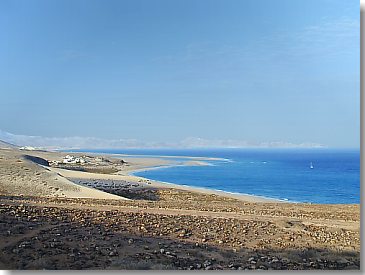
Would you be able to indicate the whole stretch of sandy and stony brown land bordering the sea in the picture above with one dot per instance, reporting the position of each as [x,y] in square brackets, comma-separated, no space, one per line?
[100,216]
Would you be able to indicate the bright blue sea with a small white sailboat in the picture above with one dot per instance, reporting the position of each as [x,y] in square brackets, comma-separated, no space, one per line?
[284,174]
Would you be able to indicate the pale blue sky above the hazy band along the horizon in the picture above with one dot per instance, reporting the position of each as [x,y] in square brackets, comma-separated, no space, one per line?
[164,71]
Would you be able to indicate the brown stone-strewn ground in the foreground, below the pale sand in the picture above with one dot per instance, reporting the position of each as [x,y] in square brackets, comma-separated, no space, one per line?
[181,230]
